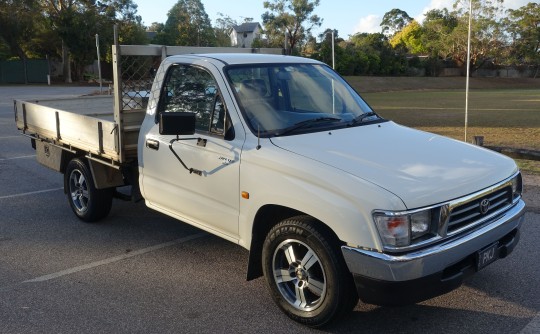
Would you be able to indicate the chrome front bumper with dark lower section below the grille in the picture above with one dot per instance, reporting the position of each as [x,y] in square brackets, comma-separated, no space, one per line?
[388,279]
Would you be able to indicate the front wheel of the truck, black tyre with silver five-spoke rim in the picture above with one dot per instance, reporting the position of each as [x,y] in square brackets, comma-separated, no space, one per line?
[306,273]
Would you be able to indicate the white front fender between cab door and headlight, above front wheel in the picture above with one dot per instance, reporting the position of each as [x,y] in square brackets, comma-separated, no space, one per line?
[343,202]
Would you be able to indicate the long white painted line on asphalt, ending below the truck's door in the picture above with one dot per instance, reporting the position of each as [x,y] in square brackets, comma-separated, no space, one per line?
[114,259]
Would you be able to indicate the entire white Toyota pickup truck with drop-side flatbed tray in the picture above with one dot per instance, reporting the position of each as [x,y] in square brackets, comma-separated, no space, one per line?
[281,156]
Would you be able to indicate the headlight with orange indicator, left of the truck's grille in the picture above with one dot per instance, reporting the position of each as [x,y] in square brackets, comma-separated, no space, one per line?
[400,229]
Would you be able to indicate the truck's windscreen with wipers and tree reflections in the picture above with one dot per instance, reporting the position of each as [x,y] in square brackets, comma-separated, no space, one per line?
[283,99]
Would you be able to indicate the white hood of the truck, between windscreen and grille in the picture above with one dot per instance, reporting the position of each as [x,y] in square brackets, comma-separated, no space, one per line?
[421,168]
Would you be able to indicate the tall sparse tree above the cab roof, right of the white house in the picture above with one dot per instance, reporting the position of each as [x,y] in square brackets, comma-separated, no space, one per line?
[293,18]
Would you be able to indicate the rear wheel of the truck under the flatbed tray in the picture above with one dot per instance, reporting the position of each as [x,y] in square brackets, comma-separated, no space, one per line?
[87,202]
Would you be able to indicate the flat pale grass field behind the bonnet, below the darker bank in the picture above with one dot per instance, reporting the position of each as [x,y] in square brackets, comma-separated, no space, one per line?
[504,117]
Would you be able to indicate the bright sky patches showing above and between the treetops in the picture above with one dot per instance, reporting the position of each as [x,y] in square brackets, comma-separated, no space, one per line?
[347,16]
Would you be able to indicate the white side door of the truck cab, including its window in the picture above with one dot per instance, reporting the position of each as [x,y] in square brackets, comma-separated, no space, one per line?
[195,177]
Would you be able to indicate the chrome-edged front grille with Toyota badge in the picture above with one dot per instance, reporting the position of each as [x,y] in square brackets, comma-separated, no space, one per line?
[471,212]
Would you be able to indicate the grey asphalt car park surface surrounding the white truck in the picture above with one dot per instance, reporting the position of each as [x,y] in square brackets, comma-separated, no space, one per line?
[140,271]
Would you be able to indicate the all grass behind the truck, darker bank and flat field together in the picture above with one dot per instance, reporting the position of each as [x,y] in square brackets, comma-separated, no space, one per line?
[505,111]
